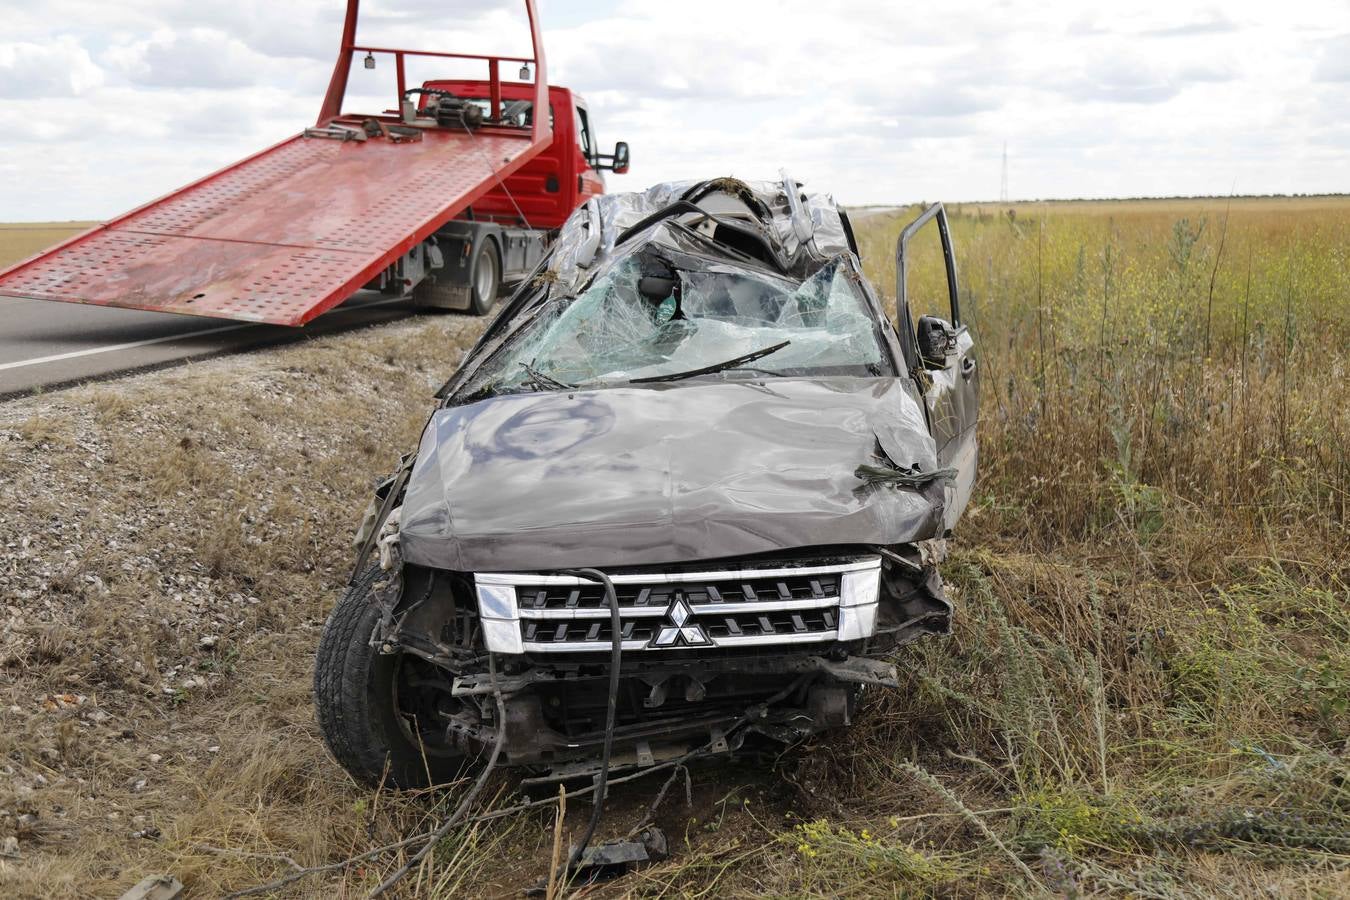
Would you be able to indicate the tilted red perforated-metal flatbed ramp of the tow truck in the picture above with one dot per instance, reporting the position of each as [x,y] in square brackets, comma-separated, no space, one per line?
[281,237]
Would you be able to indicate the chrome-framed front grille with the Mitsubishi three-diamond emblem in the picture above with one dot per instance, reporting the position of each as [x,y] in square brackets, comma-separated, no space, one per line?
[754,607]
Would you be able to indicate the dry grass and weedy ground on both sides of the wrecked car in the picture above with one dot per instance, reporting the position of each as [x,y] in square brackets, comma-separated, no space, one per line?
[1148,693]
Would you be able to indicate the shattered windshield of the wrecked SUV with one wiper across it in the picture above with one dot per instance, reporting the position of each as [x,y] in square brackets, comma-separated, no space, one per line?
[647,319]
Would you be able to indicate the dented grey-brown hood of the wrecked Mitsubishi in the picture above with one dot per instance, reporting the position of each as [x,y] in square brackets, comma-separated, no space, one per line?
[666,474]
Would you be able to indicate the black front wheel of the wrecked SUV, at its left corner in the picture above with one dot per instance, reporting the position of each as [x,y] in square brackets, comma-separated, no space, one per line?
[379,727]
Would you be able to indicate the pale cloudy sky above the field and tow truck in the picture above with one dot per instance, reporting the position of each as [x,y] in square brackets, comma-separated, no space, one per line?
[109,105]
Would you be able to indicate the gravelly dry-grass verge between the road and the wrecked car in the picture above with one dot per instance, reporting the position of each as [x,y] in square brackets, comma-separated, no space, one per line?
[140,517]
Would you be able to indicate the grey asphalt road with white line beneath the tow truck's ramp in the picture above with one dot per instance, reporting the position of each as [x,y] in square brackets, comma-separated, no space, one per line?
[48,345]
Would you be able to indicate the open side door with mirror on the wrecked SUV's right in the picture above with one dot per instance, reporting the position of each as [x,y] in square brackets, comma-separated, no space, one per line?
[940,354]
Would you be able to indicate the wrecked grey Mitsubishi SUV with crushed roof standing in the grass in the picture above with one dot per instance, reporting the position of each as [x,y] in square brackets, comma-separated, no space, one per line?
[686,495]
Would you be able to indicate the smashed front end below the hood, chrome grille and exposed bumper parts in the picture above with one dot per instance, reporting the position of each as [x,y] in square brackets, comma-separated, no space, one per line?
[712,655]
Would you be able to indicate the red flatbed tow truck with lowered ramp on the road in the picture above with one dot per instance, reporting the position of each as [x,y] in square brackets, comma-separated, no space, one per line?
[445,199]
